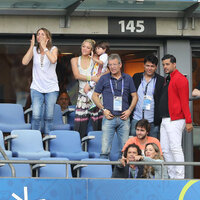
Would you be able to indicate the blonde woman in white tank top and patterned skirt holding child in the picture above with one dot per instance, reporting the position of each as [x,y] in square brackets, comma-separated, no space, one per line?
[82,67]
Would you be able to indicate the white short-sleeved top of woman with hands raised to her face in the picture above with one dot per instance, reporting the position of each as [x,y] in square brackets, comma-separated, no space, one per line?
[44,73]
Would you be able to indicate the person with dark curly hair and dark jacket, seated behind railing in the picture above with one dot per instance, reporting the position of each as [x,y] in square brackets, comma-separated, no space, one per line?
[129,171]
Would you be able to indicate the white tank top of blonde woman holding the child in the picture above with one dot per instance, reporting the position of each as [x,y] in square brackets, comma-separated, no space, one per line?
[85,72]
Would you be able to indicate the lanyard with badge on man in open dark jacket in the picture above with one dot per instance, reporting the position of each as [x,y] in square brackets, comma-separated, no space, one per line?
[147,98]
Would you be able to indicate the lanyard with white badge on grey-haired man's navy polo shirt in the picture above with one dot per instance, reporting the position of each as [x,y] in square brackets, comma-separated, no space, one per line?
[117,100]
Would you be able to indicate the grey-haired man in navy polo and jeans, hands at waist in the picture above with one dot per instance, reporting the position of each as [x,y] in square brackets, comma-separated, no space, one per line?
[116,87]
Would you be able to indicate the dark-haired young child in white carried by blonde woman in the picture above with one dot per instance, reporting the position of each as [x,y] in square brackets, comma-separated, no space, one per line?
[100,67]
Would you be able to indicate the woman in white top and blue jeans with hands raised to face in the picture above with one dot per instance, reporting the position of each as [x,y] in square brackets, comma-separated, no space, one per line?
[44,86]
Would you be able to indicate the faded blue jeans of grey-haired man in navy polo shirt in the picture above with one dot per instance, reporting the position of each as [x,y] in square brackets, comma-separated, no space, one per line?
[109,127]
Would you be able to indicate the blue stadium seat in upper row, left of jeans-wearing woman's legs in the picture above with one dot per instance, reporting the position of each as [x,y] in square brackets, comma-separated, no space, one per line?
[12,117]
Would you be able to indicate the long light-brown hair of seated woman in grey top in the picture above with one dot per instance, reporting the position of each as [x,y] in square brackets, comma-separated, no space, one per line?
[147,168]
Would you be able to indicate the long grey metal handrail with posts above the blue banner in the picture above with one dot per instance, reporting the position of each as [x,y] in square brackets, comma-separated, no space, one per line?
[162,164]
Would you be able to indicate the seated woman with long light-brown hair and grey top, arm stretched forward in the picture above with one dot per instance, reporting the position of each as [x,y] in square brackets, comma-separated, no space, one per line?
[152,154]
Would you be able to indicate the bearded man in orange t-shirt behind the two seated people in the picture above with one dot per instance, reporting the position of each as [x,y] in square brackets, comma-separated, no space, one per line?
[142,128]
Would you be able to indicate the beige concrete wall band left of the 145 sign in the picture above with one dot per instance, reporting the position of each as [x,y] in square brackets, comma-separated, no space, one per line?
[30,24]
